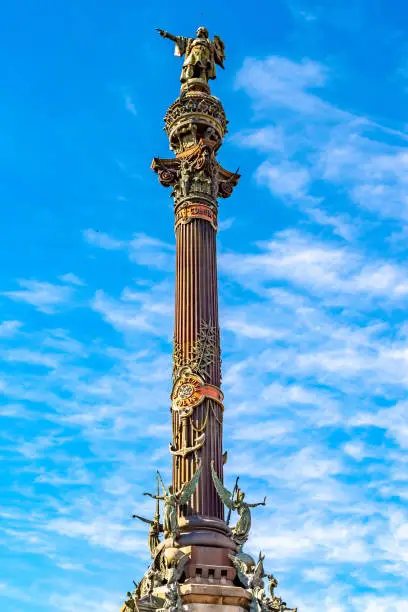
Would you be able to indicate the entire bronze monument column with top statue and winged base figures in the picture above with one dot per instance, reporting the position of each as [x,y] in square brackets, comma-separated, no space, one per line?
[199,529]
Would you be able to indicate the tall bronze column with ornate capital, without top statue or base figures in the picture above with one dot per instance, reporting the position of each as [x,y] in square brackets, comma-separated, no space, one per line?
[196,125]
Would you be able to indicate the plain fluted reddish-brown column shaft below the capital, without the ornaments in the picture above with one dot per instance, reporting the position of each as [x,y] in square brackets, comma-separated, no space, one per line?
[196,304]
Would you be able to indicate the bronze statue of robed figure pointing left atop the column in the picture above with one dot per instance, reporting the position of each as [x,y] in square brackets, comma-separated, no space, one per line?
[201,54]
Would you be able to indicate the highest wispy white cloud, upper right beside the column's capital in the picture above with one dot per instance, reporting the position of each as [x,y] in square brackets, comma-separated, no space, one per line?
[365,159]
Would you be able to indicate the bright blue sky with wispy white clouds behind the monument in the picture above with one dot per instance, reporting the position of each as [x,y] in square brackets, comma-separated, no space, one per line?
[313,293]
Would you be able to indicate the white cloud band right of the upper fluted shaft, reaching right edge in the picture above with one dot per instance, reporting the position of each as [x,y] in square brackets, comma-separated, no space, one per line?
[317,266]
